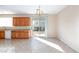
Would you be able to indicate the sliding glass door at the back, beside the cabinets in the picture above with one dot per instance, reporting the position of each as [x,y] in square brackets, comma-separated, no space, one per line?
[39,27]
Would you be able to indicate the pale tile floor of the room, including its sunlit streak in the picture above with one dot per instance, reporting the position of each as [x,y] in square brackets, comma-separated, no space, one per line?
[34,45]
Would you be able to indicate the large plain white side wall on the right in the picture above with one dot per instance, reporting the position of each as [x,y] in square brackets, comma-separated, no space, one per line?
[68,26]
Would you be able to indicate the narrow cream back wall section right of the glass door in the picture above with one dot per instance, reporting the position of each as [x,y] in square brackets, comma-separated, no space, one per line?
[51,26]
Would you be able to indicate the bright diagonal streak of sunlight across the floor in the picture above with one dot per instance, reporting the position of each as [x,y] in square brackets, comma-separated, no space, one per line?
[50,44]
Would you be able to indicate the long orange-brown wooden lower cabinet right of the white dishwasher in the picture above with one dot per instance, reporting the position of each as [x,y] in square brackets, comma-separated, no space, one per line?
[20,34]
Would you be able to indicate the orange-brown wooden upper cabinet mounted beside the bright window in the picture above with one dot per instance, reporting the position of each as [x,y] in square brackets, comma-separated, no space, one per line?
[21,21]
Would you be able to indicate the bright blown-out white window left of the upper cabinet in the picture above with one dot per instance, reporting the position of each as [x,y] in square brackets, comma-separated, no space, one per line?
[6,22]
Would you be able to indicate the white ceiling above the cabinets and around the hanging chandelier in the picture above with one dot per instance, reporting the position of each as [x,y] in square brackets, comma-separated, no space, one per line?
[29,9]
